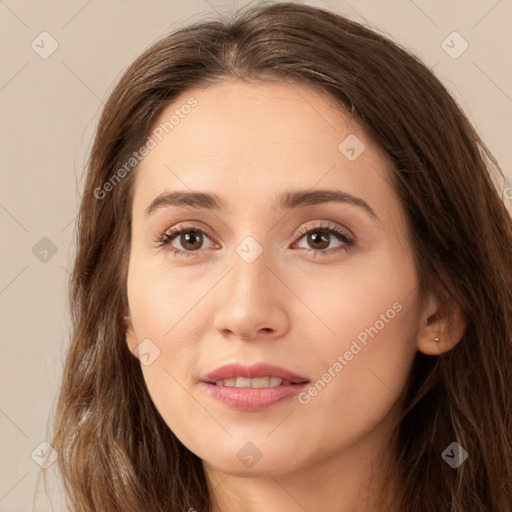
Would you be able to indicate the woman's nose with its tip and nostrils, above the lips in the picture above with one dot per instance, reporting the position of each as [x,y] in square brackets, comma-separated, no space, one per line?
[252,301]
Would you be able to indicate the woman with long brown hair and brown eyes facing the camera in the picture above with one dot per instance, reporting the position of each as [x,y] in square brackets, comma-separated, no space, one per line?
[292,287]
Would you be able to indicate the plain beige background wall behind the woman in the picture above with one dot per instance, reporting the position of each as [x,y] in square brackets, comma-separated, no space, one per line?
[49,109]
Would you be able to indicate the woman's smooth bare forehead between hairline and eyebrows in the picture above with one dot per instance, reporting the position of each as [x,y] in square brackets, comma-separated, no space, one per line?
[247,140]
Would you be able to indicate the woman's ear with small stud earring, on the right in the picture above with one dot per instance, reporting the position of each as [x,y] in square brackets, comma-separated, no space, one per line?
[443,321]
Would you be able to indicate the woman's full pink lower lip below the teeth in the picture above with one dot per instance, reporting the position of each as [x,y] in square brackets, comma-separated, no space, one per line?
[253,399]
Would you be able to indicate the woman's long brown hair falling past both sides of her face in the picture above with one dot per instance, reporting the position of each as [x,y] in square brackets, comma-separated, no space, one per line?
[115,451]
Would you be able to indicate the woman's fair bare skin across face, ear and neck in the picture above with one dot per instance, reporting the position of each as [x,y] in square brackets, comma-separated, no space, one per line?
[248,143]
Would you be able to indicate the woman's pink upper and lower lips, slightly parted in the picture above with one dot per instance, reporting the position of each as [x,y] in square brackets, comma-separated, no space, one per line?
[252,399]
